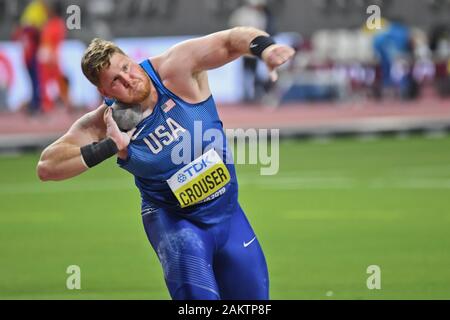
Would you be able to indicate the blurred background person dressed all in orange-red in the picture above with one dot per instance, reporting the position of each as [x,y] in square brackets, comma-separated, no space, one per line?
[53,82]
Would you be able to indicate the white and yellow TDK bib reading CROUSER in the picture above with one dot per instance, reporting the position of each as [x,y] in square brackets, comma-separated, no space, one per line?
[200,179]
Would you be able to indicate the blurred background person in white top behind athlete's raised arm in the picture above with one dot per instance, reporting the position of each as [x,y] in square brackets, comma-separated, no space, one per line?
[254,13]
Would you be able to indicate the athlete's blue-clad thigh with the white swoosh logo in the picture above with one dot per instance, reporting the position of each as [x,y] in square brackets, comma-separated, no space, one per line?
[240,266]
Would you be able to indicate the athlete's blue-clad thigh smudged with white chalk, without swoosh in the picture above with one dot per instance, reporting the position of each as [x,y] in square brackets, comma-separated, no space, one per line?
[185,252]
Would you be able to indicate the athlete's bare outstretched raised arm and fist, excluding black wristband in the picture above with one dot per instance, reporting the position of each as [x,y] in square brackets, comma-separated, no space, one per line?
[191,58]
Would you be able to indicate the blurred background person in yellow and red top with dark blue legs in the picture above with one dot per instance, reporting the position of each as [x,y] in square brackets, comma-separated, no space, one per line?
[32,20]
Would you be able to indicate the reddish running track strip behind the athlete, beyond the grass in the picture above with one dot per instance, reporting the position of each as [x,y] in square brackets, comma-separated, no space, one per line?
[257,116]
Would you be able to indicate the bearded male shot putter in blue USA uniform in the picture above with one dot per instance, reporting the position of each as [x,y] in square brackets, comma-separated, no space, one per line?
[190,211]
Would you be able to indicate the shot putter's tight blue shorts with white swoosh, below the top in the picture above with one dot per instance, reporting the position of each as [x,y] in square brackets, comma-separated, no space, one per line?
[221,261]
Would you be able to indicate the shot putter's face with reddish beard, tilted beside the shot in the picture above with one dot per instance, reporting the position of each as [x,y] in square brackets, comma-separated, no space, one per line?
[124,80]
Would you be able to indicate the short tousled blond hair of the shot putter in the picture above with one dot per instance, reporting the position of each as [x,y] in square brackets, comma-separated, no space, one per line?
[96,57]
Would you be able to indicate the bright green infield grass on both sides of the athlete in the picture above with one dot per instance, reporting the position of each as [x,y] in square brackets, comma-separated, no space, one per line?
[334,209]
